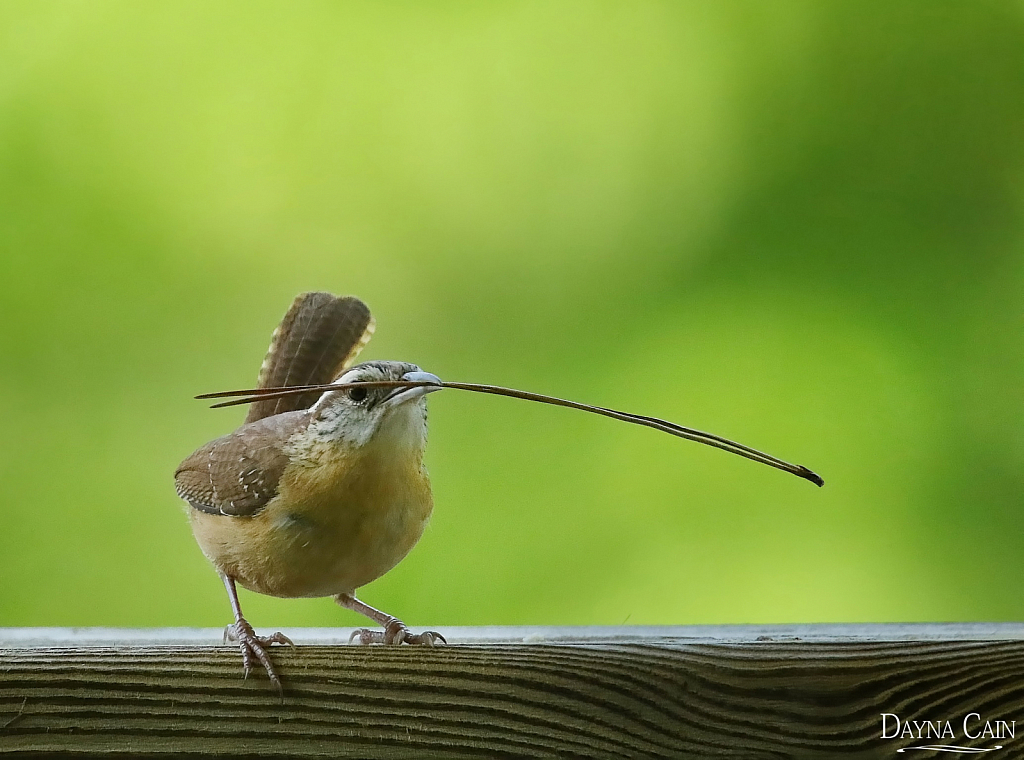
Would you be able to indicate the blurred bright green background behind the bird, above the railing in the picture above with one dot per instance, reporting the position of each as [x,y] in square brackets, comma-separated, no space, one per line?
[796,225]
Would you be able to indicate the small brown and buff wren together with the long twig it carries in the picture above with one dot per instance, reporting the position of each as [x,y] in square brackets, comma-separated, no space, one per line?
[323,490]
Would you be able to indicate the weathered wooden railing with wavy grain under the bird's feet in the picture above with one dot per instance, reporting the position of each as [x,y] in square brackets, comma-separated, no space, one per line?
[742,692]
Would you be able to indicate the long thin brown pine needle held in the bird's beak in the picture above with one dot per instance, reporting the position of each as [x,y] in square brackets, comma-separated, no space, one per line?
[254,395]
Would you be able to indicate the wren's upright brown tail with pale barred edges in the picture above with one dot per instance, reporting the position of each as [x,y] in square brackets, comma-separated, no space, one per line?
[320,336]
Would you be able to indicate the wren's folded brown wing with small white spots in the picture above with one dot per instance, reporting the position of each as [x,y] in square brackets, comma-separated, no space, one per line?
[238,475]
